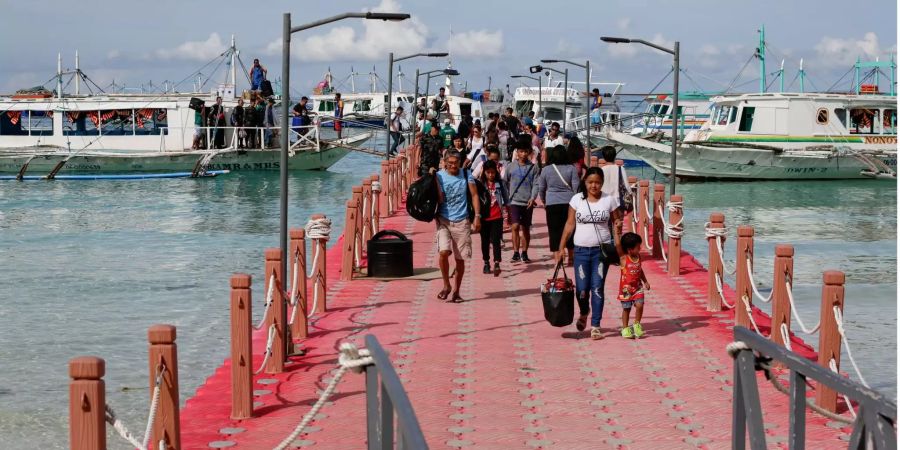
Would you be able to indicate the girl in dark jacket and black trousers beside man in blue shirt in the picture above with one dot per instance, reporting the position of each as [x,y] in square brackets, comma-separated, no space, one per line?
[492,216]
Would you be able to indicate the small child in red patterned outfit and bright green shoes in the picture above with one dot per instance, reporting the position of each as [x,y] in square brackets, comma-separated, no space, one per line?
[632,284]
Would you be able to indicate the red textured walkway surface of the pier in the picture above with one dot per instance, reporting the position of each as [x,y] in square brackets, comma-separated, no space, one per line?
[491,374]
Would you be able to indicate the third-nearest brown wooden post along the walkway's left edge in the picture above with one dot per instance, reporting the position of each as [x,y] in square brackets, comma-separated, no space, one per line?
[241,347]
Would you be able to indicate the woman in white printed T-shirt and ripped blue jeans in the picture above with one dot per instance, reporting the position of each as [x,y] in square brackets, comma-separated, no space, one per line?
[590,212]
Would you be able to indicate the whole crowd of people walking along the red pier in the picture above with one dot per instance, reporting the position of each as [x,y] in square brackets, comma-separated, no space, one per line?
[500,172]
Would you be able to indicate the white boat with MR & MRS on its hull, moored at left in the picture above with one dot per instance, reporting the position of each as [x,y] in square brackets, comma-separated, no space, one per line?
[46,133]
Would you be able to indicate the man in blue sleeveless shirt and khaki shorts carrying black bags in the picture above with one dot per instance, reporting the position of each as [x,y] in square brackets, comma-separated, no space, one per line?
[454,232]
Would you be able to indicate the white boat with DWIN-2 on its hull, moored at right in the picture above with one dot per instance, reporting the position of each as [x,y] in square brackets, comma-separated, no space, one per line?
[780,136]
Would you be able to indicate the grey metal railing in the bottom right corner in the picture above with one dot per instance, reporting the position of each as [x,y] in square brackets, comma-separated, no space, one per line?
[874,427]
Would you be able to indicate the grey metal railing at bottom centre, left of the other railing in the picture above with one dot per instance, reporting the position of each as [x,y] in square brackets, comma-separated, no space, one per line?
[381,378]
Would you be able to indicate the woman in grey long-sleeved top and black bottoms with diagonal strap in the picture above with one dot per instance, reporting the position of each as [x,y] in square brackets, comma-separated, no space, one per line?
[555,187]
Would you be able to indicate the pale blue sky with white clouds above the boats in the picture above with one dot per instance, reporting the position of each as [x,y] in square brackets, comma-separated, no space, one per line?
[170,40]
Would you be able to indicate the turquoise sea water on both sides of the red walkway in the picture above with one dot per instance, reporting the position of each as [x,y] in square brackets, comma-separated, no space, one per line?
[90,265]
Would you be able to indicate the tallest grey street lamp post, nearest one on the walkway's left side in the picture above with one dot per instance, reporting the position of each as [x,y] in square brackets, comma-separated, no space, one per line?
[285,111]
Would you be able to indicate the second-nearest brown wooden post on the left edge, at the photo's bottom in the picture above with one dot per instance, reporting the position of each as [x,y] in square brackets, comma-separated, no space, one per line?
[164,353]
